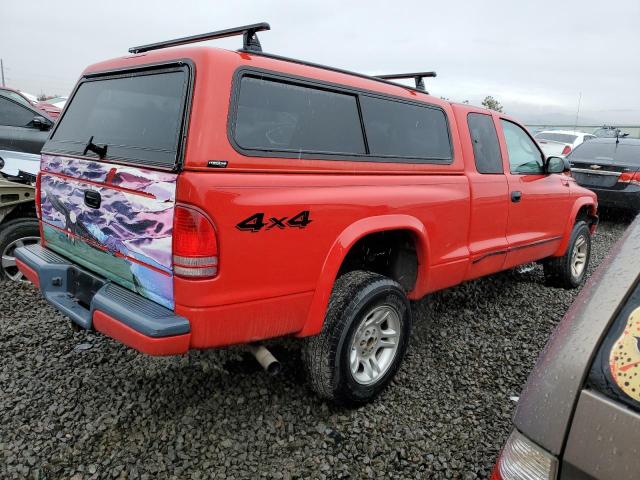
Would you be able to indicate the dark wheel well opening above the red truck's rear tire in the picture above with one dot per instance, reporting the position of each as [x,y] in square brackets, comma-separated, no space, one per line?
[390,253]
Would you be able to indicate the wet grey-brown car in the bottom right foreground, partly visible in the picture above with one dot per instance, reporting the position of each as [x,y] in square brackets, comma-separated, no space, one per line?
[579,414]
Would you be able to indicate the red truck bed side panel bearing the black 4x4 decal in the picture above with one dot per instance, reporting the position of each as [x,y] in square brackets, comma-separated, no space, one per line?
[281,262]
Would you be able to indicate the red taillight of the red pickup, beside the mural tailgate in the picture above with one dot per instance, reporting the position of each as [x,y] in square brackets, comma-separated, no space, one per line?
[195,244]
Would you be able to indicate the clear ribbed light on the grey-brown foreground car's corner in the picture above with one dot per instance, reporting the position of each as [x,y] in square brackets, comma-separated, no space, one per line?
[521,459]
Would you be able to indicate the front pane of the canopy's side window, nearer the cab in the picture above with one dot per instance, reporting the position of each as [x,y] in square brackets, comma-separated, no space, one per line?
[405,130]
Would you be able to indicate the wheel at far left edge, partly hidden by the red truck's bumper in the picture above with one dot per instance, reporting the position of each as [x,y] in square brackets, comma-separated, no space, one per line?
[13,234]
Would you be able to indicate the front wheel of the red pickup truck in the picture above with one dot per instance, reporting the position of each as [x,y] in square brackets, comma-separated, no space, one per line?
[570,270]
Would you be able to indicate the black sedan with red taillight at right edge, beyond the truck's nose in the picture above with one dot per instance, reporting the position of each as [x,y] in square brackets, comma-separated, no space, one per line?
[610,167]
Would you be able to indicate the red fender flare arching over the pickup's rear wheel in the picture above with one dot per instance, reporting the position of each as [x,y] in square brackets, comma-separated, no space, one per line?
[338,251]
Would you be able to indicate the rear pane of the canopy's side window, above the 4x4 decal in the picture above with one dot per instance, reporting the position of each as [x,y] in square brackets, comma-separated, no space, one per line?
[278,116]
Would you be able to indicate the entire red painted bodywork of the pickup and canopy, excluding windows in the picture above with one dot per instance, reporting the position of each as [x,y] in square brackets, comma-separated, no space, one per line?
[278,281]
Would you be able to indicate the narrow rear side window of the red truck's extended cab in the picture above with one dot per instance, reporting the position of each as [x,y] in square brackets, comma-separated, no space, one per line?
[486,149]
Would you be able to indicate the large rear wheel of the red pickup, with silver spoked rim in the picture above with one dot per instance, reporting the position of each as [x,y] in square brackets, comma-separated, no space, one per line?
[363,340]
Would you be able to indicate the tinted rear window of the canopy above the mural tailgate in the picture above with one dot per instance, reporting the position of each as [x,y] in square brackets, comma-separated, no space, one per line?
[139,117]
